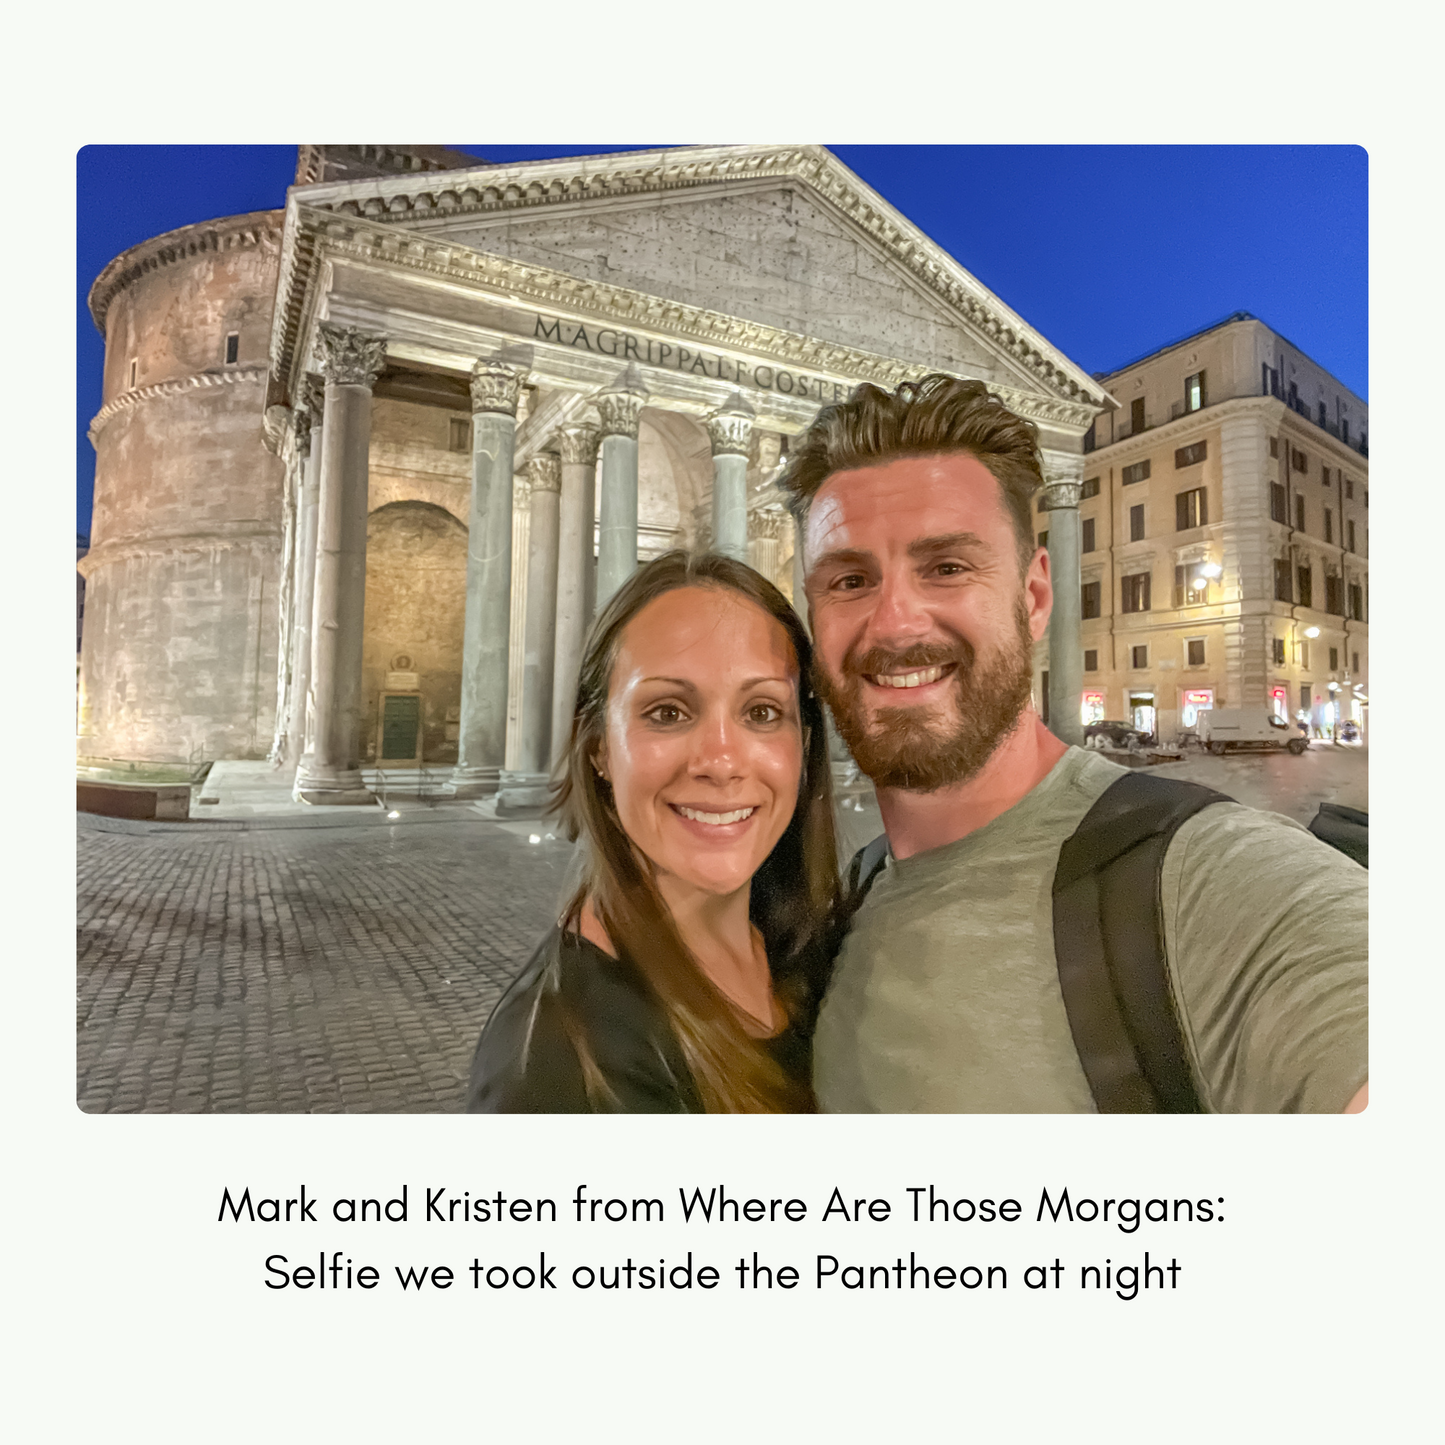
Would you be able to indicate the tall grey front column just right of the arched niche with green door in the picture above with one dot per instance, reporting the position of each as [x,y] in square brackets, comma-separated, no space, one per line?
[483,733]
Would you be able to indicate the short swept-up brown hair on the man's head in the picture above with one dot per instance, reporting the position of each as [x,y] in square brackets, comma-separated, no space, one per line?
[931,418]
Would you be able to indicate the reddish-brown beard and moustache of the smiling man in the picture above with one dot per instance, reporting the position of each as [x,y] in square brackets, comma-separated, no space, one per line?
[913,748]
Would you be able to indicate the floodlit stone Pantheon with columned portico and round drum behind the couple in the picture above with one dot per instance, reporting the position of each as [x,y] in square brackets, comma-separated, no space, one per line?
[631,337]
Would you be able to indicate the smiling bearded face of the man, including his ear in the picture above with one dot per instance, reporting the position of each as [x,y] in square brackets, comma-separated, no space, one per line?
[923,622]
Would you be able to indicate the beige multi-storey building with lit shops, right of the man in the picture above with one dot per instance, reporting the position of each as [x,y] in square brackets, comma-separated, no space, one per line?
[1225,537]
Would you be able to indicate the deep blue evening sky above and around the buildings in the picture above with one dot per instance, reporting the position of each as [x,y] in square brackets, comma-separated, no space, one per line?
[1110,252]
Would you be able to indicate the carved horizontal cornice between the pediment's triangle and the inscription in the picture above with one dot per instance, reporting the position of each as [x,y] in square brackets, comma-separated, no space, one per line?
[314,239]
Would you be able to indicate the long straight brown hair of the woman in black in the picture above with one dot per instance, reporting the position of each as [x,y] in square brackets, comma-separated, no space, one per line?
[795,892]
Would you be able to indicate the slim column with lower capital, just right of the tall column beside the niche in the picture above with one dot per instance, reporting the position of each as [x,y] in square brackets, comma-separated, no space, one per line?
[527,787]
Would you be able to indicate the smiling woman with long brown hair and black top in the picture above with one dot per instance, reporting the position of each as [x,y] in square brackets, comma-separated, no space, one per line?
[686,969]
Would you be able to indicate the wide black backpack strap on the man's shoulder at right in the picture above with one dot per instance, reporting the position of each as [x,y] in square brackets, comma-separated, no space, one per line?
[1109,943]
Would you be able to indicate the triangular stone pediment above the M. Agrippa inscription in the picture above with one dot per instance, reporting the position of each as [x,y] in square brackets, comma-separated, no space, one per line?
[785,236]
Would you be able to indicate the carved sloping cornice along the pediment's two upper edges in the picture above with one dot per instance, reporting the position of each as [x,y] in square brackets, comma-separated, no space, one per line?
[436,200]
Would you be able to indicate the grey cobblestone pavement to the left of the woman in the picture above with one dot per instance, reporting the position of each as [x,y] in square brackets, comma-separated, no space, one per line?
[300,970]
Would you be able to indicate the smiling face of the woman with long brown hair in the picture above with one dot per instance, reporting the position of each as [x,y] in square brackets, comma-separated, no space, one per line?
[704,748]
